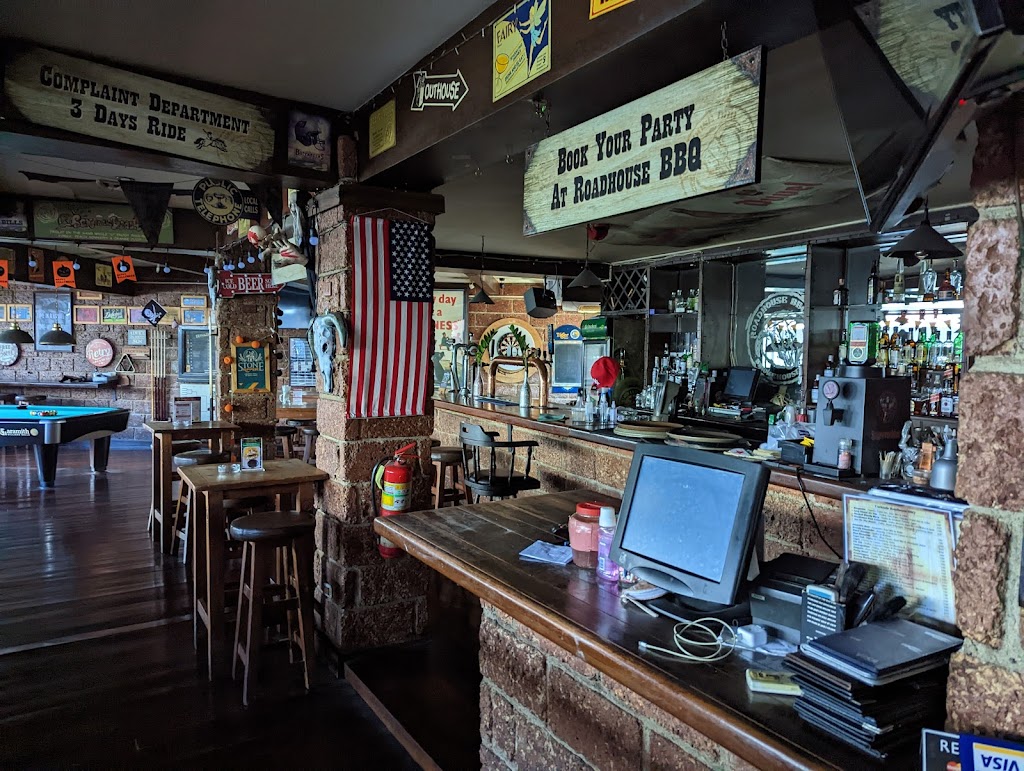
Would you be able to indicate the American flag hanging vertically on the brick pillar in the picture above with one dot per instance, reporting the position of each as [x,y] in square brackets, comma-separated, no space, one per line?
[394,285]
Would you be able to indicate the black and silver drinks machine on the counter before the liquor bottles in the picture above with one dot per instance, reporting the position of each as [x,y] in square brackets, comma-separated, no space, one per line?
[864,406]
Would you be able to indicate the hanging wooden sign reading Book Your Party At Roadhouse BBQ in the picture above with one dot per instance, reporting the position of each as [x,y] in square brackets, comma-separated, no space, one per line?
[697,137]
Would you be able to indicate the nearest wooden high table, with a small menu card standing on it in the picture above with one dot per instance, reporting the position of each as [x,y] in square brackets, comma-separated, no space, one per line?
[290,481]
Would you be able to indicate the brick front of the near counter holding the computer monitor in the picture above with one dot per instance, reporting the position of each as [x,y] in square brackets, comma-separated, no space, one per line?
[541,708]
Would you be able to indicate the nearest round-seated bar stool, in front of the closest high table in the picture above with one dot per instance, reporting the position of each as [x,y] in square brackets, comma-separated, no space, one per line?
[263,536]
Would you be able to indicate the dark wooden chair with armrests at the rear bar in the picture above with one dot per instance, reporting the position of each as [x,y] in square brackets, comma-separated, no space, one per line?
[492,468]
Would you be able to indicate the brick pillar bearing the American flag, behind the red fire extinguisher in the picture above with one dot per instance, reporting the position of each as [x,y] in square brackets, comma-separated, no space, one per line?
[368,602]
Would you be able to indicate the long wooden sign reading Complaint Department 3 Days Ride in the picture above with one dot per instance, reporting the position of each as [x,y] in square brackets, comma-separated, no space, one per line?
[64,93]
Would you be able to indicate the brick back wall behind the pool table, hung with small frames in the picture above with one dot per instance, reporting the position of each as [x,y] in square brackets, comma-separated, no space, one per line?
[47,366]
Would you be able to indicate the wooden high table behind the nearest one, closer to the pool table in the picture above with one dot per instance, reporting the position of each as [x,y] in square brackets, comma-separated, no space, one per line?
[220,434]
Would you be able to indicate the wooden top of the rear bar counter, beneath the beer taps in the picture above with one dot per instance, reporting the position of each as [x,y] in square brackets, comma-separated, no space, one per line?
[529,418]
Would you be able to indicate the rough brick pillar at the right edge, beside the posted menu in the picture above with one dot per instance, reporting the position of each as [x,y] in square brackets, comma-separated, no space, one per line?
[988,676]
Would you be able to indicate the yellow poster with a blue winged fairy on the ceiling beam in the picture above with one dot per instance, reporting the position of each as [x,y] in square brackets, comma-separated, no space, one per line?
[522,49]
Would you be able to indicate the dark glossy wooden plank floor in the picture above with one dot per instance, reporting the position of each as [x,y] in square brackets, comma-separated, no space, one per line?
[97,660]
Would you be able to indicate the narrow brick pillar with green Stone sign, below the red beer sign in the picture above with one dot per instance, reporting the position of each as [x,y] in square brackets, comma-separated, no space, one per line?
[252,317]
